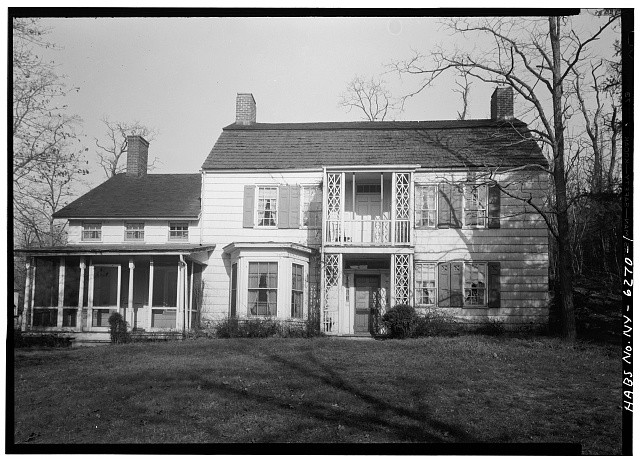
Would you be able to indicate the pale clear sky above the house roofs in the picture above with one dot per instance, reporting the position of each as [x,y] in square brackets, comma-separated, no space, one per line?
[181,75]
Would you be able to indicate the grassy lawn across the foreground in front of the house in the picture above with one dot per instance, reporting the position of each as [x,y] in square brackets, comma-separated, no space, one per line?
[463,389]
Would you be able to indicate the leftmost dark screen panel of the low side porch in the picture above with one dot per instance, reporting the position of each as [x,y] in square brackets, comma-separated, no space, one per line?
[45,300]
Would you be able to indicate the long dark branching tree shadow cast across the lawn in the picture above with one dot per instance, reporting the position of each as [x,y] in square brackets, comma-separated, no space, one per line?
[395,423]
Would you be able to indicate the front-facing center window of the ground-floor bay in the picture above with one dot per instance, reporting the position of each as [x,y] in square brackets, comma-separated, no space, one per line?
[263,289]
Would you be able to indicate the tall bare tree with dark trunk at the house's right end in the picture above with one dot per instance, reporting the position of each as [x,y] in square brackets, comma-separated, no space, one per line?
[537,60]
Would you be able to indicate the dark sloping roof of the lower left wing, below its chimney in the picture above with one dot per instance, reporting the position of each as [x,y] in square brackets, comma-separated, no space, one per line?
[150,196]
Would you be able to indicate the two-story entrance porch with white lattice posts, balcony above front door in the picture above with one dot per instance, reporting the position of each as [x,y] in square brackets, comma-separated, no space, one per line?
[367,248]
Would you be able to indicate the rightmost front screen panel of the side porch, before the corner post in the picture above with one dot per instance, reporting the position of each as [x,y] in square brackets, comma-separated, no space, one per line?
[165,296]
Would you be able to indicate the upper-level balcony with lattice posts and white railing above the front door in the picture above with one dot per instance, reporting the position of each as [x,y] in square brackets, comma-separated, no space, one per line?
[367,208]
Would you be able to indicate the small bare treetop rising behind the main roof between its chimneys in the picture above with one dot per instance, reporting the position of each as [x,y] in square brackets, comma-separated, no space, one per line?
[371,97]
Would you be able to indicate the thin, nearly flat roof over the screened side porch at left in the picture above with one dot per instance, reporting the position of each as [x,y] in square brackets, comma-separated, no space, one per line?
[118,249]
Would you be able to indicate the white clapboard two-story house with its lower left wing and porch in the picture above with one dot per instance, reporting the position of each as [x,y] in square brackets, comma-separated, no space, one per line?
[337,218]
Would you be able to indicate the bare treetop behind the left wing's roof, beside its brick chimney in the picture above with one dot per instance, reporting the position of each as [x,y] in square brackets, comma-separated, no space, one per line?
[113,146]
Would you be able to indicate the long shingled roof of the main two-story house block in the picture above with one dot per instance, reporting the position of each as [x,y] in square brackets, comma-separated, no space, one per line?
[442,144]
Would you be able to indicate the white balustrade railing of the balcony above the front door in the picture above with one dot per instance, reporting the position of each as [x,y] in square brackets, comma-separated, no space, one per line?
[368,232]
